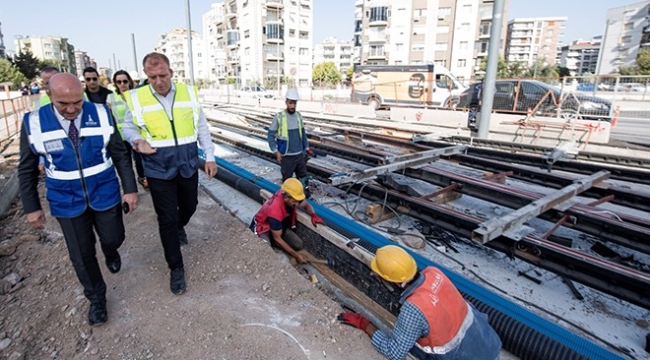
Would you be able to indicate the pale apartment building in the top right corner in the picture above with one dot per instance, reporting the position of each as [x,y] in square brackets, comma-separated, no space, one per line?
[626,31]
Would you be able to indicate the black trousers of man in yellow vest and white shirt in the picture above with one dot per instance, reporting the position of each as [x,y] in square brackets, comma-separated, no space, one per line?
[175,202]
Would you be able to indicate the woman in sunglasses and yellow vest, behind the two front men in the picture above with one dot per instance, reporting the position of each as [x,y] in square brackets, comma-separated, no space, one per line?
[123,83]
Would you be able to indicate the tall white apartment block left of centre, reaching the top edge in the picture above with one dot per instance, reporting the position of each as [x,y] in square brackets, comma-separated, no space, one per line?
[265,40]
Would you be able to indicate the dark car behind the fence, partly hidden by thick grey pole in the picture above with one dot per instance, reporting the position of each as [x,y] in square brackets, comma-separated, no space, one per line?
[517,96]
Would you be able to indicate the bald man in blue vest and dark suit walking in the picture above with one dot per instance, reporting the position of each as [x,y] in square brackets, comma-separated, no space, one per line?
[71,133]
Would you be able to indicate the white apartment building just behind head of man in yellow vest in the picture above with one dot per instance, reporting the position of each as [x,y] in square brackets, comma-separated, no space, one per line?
[174,44]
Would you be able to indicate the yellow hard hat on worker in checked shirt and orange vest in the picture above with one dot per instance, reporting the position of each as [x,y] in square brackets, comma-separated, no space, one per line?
[394,264]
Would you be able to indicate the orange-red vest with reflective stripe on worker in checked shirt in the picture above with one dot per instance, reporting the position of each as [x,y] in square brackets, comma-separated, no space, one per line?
[447,313]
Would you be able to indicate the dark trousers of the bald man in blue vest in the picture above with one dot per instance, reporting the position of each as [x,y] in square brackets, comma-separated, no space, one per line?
[80,240]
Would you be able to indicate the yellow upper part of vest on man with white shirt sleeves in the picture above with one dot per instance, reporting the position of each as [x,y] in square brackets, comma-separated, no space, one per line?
[154,123]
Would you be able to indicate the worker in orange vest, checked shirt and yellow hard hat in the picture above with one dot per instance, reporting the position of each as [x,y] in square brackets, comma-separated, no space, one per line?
[435,322]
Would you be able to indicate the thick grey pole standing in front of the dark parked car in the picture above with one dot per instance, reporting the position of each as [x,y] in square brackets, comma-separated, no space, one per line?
[491,69]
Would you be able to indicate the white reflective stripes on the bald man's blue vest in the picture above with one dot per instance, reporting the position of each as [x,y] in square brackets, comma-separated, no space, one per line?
[38,139]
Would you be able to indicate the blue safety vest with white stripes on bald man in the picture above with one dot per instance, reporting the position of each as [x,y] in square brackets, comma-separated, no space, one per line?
[76,178]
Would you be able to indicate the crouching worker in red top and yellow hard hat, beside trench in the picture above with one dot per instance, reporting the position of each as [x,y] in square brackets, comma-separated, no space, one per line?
[278,216]
